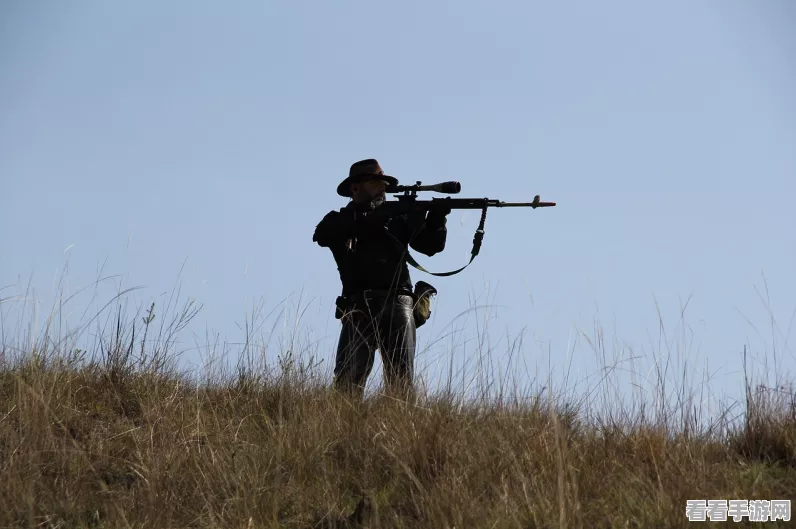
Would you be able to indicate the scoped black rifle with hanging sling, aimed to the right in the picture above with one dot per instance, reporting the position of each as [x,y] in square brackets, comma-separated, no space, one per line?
[408,203]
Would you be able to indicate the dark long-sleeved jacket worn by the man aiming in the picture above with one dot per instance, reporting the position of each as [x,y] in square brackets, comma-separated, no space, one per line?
[370,252]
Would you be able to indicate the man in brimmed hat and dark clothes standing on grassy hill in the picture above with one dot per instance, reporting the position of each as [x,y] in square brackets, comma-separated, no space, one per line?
[377,302]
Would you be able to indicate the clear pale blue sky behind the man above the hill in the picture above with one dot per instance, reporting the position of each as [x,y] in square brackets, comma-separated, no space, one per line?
[144,135]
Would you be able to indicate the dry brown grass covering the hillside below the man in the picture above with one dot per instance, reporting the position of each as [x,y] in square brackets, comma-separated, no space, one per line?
[121,438]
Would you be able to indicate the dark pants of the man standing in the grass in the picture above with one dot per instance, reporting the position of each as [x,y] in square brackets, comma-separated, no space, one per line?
[386,324]
